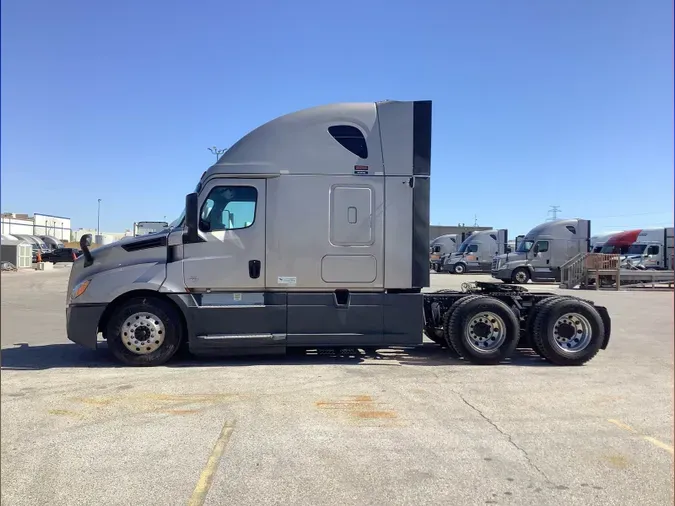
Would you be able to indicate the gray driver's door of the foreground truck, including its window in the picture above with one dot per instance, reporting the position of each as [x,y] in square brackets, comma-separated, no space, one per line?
[232,219]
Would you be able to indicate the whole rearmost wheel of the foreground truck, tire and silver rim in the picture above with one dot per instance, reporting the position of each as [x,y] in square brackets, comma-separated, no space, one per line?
[568,331]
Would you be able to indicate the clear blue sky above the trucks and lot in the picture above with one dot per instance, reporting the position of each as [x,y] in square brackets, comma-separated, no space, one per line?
[535,103]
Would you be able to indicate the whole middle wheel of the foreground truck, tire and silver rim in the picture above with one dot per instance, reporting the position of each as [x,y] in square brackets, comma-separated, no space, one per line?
[483,330]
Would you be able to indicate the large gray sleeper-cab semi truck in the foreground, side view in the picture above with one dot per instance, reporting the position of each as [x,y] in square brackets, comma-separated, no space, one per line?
[311,232]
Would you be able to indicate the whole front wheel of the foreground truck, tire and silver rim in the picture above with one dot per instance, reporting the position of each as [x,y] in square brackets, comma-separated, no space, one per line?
[144,331]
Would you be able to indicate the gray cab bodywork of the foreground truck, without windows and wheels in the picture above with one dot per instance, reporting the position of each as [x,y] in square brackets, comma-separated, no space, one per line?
[325,220]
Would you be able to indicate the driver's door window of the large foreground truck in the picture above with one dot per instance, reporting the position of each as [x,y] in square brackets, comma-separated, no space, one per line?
[228,208]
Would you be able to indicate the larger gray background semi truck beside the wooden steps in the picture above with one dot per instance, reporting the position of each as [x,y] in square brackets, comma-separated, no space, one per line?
[543,251]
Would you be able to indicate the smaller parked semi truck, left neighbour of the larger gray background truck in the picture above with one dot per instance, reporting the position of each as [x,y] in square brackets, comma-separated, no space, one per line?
[475,254]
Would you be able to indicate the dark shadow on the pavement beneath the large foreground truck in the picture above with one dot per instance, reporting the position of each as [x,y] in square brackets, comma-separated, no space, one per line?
[66,355]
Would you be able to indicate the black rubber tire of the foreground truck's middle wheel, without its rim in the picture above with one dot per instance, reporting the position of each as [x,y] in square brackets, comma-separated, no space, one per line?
[471,307]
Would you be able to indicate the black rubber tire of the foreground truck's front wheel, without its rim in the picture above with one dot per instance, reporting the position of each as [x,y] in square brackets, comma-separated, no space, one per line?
[166,315]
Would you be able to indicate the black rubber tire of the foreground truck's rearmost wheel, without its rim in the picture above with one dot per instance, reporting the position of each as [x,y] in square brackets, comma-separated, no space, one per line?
[543,331]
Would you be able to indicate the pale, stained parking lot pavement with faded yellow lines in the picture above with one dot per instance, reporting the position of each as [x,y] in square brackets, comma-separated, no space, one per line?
[401,427]
